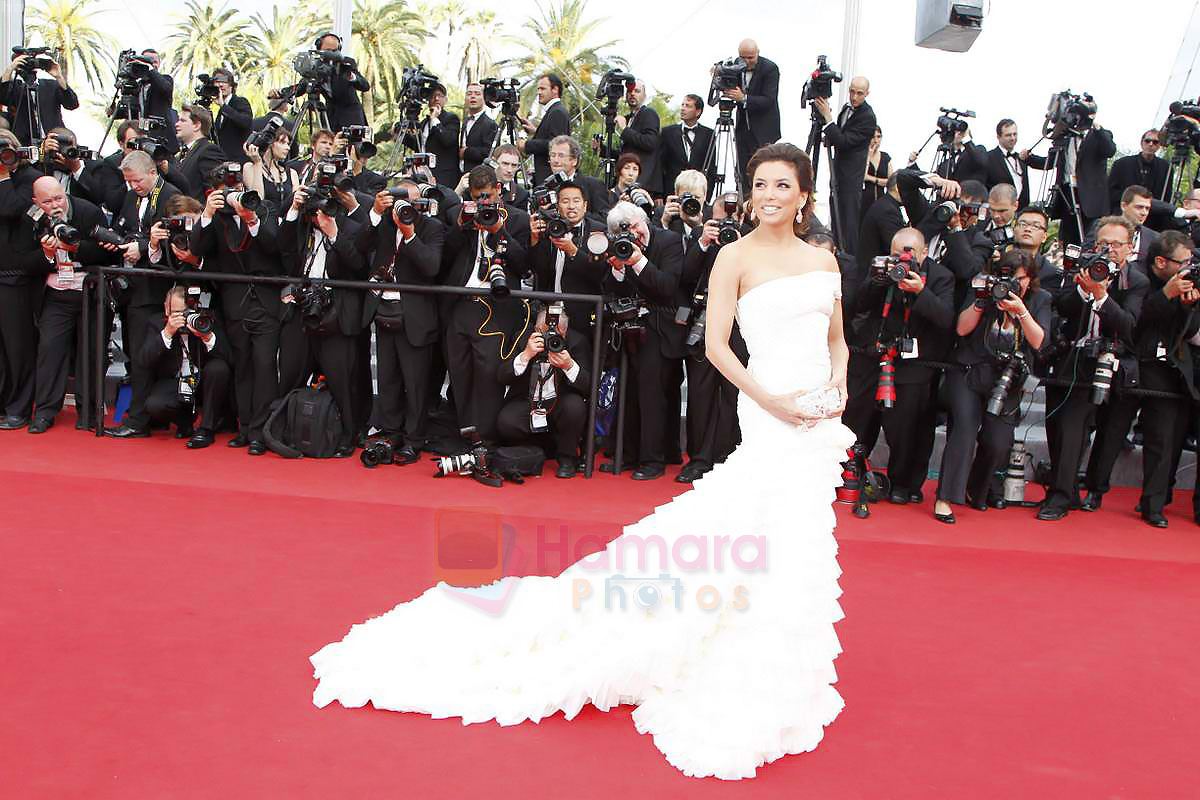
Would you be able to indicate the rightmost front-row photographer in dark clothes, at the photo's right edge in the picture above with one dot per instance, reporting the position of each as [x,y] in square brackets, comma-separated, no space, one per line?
[1167,321]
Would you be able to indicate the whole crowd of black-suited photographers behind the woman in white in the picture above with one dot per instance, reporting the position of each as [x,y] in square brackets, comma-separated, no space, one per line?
[951,303]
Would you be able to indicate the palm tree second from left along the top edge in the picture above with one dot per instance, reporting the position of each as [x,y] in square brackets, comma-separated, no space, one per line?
[211,38]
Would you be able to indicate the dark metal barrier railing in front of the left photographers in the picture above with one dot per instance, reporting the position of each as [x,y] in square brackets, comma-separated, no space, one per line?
[100,326]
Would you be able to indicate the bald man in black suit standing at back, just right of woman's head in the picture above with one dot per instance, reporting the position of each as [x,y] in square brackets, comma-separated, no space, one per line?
[850,136]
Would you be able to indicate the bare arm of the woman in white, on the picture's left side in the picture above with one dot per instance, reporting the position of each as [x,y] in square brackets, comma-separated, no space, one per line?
[723,299]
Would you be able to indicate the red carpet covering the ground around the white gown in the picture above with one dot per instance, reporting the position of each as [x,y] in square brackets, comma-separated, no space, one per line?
[160,607]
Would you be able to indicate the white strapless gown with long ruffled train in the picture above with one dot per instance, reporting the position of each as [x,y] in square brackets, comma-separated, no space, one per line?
[730,663]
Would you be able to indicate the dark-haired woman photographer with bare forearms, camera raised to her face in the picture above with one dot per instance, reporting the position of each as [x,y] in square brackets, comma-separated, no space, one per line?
[1001,332]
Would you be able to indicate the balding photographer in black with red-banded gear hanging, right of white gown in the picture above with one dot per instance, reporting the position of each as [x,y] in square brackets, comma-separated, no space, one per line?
[903,312]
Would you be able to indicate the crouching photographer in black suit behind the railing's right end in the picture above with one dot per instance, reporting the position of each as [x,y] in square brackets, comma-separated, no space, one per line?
[548,390]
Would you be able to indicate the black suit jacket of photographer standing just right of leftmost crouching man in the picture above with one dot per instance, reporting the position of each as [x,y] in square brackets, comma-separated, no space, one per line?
[227,246]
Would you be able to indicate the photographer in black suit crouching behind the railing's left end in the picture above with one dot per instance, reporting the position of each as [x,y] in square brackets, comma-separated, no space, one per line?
[185,365]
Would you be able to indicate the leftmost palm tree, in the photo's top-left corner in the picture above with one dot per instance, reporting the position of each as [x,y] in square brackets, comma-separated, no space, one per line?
[68,27]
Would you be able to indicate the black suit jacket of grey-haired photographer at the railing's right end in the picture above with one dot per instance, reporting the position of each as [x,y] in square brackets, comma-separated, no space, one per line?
[663,286]
